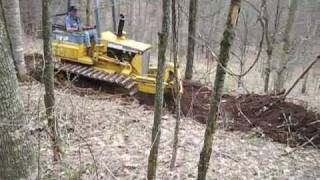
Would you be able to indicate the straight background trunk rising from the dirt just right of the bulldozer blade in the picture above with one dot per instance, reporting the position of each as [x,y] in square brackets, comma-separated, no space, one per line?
[191,38]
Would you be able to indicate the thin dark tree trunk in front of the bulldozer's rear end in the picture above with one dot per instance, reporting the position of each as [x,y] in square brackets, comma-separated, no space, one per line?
[49,99]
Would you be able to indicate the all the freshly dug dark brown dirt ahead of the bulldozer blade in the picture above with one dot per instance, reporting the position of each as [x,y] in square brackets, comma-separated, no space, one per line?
[284,122]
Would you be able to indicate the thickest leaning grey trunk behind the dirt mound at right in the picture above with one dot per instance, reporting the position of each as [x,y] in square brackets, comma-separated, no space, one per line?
[281,70]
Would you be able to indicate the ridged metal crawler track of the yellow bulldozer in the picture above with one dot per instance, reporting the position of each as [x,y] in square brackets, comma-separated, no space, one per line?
[121,80]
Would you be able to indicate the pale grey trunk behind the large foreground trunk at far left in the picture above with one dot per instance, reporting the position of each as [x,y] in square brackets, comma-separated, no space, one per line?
[11,9]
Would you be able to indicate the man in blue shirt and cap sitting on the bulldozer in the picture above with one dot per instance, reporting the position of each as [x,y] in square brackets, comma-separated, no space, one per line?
[73,24]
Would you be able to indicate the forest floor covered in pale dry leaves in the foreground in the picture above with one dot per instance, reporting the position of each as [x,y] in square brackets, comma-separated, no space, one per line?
[109,137]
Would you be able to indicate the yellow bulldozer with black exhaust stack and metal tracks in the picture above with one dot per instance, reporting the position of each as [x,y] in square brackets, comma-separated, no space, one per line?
[115,60]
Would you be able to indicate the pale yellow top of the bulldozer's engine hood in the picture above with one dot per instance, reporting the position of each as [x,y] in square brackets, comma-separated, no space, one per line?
[124,44]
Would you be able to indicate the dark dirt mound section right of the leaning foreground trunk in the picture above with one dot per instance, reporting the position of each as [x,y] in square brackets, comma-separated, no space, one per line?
[284,122]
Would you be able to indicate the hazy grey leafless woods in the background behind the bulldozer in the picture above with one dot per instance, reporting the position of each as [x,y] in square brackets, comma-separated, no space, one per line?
[143,19]
